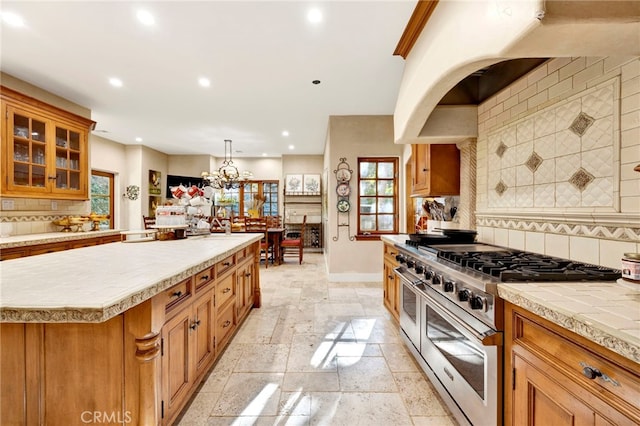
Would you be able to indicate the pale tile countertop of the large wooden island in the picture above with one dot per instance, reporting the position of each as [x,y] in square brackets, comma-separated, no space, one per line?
[94,284]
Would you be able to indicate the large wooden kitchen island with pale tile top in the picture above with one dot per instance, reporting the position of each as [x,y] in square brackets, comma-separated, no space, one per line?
[120,333]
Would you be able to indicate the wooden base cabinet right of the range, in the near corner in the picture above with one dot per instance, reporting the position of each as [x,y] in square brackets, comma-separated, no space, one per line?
[557,377]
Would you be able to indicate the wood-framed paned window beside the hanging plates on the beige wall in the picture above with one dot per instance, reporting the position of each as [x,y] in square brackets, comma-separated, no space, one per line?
[377,196]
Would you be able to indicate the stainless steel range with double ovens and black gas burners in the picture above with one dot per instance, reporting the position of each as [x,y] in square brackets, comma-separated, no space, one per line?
[452,318]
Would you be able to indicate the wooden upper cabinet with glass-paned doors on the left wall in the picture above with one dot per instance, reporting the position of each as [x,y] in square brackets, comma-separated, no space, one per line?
[45,150]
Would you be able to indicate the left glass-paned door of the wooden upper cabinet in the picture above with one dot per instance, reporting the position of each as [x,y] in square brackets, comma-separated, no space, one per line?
[27,152]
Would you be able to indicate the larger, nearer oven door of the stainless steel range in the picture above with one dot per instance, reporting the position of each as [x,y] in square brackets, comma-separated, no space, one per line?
[466,357]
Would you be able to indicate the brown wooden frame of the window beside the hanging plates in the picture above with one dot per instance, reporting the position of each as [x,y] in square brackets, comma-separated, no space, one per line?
[375,234]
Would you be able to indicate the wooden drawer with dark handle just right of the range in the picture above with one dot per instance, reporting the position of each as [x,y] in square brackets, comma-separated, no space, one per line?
[573,359]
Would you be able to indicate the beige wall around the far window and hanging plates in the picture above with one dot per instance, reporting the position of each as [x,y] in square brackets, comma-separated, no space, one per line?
[352,137]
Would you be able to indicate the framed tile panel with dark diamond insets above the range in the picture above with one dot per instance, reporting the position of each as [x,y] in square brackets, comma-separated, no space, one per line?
[561,156]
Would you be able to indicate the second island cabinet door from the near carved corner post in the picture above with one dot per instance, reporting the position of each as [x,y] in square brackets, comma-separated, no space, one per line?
[203,333]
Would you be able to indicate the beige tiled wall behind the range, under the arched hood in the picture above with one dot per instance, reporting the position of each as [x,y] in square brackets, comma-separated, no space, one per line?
[542,211]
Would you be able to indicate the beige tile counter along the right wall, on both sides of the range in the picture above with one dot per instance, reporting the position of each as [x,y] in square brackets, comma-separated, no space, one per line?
[607,313]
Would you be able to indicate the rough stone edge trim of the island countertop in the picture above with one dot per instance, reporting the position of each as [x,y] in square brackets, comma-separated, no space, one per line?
[12,314]
